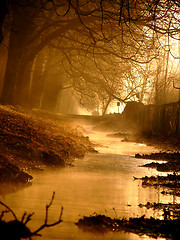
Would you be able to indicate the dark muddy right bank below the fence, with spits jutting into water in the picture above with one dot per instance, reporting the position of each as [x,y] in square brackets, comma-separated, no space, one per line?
[168,149]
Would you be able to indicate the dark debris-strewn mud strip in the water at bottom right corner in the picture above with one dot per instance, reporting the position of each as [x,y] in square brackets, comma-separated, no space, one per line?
[151,227]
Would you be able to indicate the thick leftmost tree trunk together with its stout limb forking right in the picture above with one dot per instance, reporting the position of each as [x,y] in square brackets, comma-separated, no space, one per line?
[33,32]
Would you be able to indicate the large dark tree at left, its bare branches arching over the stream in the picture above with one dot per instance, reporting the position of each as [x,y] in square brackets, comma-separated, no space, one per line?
[138,23]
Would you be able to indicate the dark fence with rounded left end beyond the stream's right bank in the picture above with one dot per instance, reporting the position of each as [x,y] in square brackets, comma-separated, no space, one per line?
[163,119]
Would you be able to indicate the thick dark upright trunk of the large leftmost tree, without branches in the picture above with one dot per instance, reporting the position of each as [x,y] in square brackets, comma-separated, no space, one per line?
[17,65]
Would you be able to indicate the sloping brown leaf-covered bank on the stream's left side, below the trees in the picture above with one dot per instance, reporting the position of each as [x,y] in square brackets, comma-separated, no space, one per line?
[33,140]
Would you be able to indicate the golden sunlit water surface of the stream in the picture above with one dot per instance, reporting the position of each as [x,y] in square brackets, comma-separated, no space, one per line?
[98,183]
